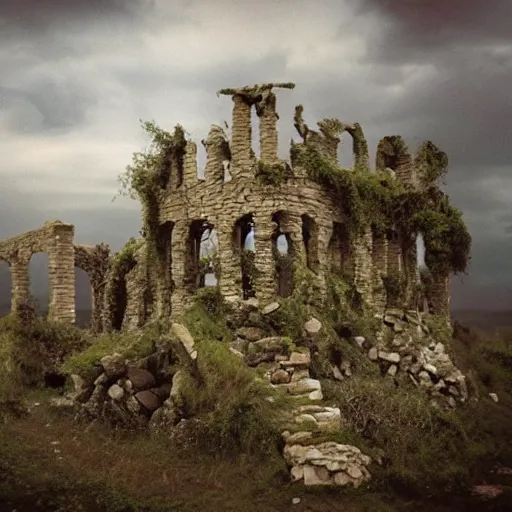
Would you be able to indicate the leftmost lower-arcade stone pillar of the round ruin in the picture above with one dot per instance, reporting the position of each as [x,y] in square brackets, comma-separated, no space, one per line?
[179,297]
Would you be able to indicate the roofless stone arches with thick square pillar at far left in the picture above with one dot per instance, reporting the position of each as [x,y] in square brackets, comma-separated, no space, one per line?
[56,239]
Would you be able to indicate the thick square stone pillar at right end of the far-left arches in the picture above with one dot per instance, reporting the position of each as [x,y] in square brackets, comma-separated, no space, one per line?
[61,269]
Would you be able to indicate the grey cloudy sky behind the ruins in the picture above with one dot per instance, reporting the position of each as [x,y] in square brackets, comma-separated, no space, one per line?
[76,77]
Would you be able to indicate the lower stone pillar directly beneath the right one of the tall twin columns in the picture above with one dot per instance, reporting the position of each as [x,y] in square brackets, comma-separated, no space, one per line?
[265,282]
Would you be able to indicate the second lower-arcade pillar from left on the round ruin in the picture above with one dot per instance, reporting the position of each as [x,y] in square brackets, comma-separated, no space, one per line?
[230,272]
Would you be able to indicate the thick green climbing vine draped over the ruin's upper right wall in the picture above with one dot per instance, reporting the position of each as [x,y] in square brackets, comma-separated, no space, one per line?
[380,200]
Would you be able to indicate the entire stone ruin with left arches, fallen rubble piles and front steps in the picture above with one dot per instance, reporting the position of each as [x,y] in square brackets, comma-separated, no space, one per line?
[134,286]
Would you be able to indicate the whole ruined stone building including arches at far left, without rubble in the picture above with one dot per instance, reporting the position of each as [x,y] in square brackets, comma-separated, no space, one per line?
[230,200]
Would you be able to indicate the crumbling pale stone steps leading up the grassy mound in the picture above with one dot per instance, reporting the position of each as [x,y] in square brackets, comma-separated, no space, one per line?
[311,427]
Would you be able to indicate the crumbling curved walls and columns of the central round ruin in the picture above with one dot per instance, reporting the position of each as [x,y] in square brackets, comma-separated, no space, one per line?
[365,259]
